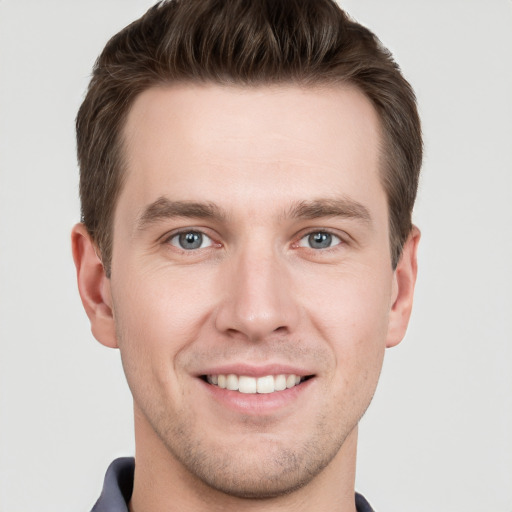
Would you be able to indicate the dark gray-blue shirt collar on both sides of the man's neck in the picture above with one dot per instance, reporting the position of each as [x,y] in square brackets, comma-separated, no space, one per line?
[118,486]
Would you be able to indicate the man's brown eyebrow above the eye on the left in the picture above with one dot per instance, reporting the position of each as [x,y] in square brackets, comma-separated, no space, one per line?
[163,208]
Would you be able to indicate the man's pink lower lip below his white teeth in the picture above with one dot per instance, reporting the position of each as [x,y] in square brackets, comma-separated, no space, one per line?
[258,404]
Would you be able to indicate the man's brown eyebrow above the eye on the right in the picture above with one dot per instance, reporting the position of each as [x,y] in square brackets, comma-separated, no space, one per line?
[336,207]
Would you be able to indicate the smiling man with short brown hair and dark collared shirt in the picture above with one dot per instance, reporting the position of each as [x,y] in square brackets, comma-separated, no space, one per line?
[248,172]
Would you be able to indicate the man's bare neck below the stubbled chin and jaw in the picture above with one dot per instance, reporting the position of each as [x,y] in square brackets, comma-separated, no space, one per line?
[162,484]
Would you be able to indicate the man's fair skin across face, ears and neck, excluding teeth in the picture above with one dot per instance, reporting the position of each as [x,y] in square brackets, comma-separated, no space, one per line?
[278,164]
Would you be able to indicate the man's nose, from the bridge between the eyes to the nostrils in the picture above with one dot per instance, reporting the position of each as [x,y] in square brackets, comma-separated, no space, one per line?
[257,297]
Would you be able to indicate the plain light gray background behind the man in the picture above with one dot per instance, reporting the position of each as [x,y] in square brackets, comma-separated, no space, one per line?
[438,435]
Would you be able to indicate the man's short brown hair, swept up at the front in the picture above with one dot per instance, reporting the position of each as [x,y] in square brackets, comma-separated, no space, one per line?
[246,42]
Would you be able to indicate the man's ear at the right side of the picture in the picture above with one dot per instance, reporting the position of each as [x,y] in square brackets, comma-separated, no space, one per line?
[404,279]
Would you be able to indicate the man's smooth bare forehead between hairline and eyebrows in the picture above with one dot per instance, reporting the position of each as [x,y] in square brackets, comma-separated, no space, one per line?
[211,142]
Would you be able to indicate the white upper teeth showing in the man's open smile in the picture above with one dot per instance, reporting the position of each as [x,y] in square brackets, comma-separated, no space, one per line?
[253,385]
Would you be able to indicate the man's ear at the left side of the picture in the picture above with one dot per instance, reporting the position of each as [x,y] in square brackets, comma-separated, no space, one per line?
[94,286]
